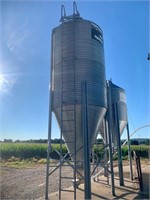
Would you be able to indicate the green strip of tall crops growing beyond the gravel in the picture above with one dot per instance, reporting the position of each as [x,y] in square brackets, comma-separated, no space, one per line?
[39,150]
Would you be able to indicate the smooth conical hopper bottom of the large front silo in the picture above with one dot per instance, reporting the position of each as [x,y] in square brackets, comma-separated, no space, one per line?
[72,130]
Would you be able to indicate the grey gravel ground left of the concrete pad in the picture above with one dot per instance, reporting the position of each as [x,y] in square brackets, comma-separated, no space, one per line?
[29,183]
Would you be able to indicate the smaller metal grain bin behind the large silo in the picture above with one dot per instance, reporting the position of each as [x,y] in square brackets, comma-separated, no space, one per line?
[117,107]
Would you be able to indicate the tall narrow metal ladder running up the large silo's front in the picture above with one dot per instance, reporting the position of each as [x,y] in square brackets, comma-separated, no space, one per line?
[68,123]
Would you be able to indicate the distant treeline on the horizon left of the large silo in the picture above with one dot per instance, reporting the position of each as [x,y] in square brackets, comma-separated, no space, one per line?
[53,141]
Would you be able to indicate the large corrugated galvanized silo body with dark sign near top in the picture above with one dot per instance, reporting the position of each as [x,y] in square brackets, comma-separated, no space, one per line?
[78,56]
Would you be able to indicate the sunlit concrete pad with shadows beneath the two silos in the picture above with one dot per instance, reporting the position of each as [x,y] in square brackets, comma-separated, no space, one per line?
[102,190]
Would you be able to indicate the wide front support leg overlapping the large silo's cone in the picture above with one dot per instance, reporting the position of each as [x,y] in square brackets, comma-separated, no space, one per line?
[86,140]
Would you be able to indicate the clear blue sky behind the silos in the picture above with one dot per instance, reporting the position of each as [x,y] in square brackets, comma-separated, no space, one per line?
[25,41]
